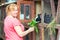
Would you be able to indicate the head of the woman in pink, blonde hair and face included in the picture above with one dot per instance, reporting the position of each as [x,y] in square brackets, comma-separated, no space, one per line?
[12,9]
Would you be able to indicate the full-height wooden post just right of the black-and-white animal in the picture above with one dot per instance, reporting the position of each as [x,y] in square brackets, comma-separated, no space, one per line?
[41,28]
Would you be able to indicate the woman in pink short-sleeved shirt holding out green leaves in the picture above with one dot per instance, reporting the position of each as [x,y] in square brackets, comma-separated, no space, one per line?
[13,29]
